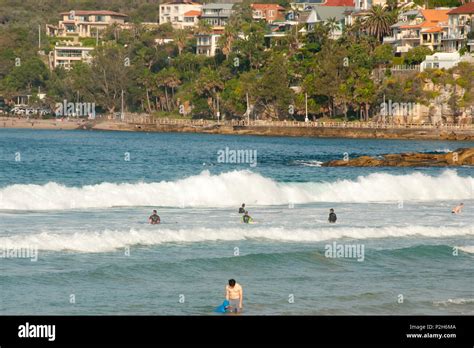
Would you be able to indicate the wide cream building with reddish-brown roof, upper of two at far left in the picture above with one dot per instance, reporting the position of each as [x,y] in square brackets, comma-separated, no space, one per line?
[85,23]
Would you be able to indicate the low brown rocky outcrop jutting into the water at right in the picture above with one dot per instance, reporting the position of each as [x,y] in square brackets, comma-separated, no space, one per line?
[458,157]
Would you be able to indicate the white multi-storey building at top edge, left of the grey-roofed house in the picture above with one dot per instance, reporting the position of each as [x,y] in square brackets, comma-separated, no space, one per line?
[180,13]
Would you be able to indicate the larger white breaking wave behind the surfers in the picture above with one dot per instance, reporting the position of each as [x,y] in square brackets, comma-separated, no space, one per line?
[233,188]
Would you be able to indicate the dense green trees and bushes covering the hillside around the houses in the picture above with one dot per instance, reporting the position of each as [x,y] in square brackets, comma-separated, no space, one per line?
[346,78]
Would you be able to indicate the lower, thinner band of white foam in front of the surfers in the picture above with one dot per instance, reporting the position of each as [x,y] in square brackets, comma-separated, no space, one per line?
[109,240]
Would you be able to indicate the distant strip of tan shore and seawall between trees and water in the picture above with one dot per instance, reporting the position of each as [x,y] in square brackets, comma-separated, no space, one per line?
[351,130]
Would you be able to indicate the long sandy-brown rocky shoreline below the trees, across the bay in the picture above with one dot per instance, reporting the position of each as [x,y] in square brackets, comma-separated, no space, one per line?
[349,131]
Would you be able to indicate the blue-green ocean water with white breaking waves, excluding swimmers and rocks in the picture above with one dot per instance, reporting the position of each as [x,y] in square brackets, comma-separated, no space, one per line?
[82,199]
